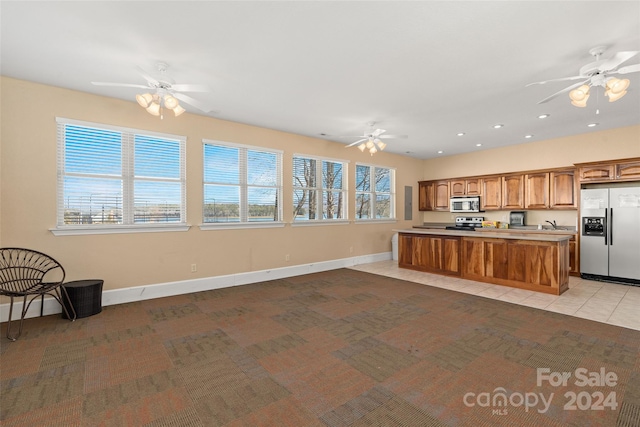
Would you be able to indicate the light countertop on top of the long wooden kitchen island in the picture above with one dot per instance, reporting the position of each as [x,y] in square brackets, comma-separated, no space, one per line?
[493,233]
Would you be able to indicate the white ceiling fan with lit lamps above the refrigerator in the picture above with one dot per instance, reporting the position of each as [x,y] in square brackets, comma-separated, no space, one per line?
[598,73]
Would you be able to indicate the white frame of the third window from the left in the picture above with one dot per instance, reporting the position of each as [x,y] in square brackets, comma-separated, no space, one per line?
[321,189]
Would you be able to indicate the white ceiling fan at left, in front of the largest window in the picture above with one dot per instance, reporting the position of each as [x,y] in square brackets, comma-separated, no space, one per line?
[163,92]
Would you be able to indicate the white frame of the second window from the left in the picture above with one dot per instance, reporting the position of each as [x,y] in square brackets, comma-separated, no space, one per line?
[244,186]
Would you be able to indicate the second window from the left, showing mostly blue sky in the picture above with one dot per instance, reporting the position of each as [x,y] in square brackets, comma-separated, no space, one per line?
[242,184]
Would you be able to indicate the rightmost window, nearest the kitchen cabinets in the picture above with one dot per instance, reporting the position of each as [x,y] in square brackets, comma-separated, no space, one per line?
[375,192]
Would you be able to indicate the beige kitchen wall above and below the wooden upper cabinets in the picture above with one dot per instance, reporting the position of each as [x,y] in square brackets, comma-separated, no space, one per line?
[612,144]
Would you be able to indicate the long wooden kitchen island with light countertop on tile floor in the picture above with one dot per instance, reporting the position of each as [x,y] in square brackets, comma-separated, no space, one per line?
[537,262]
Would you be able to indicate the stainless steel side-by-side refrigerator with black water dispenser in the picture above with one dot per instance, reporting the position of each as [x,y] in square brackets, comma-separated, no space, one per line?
[610,234]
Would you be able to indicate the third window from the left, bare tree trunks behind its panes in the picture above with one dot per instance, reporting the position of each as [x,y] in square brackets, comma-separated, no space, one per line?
[319,189]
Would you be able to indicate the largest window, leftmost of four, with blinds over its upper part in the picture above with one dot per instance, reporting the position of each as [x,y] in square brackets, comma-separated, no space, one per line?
[111,177]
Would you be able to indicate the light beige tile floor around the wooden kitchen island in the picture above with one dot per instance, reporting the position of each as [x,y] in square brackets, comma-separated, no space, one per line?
[599,301]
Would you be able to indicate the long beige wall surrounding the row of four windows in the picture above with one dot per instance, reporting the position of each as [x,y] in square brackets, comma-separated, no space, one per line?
[28,196]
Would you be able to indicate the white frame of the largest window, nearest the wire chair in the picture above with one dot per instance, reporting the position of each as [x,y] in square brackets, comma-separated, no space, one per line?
[127,178]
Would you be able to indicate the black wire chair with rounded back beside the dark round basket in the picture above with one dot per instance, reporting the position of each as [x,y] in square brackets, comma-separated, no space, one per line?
[22,274]
